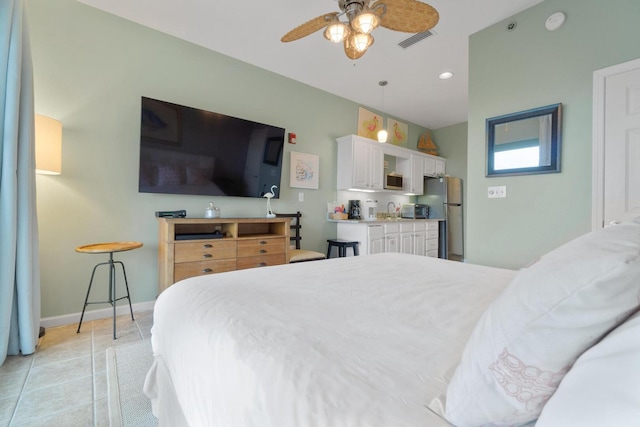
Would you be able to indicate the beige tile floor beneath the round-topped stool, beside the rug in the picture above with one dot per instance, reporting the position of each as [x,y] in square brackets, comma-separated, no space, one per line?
[64,383]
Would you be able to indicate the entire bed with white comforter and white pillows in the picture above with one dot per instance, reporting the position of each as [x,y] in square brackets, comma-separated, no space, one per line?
[400,340]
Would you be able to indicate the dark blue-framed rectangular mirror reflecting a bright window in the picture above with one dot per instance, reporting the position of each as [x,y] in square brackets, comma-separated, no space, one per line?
[525,143]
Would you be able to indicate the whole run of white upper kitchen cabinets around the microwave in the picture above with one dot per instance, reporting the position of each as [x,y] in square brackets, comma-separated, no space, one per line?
[361,165]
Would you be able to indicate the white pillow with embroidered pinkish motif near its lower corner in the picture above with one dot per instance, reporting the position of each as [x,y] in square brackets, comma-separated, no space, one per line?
[528,338]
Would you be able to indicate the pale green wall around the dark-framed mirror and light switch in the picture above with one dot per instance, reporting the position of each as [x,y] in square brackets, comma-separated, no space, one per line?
[527,68]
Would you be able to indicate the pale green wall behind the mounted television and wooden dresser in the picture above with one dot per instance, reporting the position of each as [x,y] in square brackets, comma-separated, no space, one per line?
[90,70]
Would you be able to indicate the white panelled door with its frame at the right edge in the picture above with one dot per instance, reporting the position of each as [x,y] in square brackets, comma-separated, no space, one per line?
[616,144]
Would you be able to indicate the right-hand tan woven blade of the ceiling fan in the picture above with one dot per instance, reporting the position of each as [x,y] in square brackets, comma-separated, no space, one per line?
[409,16]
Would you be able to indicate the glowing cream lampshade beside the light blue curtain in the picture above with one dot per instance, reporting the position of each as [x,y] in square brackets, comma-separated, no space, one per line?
[48,146]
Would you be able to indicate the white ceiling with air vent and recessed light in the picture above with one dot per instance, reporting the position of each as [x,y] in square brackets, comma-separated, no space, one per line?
[414,92]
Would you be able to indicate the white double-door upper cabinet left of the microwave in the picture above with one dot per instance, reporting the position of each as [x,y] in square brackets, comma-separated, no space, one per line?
[360,164]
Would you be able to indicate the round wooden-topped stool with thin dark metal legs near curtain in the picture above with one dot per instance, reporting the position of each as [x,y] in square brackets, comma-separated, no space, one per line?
[110,248]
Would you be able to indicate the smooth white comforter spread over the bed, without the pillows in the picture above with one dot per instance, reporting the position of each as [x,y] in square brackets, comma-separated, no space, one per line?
[357,341]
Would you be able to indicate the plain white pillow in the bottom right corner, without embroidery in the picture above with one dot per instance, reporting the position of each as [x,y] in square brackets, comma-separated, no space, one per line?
[603,386]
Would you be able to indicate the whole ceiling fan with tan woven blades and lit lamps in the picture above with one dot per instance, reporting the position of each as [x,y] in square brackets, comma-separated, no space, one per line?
[364,16]
